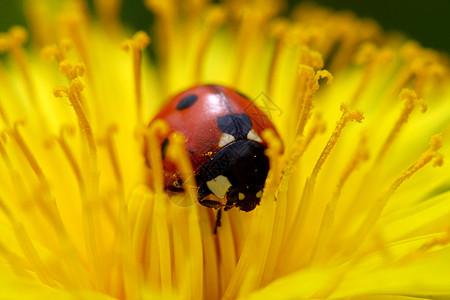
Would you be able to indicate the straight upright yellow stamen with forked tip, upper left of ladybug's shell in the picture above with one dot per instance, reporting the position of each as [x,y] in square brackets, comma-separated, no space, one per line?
[136,45]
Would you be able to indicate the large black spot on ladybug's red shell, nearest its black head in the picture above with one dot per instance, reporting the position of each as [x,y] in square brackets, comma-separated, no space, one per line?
[238,125]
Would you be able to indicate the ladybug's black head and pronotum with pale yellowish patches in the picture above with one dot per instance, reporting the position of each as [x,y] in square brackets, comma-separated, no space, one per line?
[238,172]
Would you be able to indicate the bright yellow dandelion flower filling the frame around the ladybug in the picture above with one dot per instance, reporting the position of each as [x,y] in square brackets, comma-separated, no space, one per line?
[357,206]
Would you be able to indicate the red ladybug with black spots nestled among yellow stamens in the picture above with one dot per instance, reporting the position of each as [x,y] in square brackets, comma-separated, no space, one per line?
[222,130]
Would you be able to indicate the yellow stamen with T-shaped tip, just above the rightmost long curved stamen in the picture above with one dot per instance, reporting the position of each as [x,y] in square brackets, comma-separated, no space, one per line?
[411,102]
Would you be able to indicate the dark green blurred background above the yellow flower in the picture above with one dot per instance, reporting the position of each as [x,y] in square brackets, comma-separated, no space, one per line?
[426,21]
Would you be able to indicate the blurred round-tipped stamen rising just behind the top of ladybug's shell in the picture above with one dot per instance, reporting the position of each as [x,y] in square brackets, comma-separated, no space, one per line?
[214,18]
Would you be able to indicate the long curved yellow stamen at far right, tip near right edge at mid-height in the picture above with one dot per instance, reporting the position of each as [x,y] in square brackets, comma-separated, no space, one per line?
[377,208]
